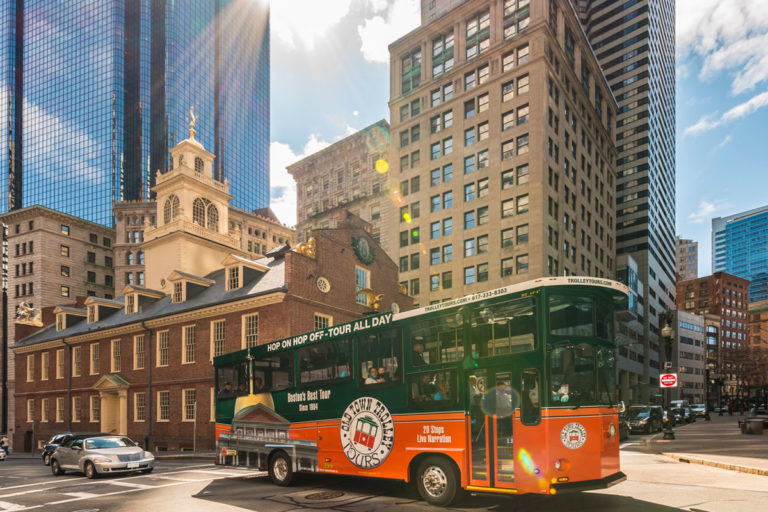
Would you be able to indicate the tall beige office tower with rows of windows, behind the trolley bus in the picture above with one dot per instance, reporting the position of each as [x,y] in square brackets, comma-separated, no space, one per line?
[503,148]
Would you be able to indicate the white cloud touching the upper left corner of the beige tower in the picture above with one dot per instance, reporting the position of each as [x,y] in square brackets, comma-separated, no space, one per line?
[377,32]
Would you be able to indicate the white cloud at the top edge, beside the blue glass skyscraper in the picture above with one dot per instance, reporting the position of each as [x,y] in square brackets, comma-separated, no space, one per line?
[304,22]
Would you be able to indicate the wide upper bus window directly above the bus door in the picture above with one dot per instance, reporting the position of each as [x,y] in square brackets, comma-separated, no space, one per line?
[504,328]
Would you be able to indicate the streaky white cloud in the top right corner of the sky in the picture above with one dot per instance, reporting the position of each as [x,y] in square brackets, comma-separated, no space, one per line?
[727,36]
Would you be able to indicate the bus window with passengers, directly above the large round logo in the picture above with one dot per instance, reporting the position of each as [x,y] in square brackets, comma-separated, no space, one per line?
[379,357]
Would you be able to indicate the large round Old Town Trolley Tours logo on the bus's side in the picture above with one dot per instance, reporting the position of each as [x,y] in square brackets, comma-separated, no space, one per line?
[367,432]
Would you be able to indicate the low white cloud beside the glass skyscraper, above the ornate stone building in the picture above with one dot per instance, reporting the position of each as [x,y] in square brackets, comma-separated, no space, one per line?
[282,184]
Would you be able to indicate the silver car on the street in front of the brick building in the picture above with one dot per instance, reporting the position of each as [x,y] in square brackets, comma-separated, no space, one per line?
[101,455]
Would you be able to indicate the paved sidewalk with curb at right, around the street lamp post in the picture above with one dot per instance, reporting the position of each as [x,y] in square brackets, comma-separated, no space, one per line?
[717,443]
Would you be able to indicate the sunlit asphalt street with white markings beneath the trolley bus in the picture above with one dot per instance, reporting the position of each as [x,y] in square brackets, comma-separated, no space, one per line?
[654,483]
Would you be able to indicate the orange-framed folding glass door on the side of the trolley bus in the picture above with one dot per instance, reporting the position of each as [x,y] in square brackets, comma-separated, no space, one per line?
[492,403]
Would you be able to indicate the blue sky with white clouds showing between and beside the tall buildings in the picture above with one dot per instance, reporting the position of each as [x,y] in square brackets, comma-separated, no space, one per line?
[330,77]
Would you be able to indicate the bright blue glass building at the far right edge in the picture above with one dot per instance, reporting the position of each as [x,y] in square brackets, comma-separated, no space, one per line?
[740,247]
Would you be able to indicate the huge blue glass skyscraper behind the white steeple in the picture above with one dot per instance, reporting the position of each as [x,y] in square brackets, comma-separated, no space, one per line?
[93,94]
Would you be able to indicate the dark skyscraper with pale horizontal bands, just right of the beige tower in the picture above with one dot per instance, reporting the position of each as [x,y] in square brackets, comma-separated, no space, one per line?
[635,45]
